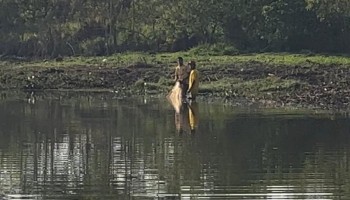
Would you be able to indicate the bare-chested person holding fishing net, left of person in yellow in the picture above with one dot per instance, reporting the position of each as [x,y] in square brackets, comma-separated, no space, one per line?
[181,75]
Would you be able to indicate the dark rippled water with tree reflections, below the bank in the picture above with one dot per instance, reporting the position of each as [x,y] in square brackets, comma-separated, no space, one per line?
[93,146]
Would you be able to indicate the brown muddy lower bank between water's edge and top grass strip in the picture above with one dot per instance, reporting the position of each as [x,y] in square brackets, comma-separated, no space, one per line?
[309,85]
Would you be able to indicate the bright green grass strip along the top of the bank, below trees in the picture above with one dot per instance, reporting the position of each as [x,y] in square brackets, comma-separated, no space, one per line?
[169,59]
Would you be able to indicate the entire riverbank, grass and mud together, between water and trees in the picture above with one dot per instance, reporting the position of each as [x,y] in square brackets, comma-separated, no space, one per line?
[294,80]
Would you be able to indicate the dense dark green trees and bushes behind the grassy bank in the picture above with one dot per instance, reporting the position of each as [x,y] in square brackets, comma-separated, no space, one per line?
[49,28]
